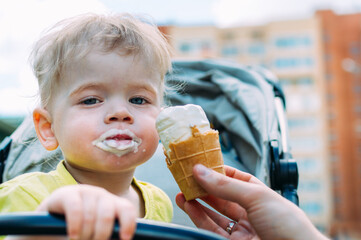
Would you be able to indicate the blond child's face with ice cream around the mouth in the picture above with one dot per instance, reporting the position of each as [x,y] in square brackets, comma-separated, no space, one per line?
[103,114]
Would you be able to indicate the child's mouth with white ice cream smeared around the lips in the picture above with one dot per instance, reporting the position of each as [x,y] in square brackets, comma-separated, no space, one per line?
[118,141]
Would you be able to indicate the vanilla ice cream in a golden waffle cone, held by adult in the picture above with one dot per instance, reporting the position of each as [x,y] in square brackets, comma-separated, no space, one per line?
[189,140]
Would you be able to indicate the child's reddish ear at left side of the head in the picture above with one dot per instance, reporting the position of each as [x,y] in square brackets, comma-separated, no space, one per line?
[42,122]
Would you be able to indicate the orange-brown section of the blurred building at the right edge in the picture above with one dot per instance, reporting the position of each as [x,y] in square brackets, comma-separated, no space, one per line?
[341,36]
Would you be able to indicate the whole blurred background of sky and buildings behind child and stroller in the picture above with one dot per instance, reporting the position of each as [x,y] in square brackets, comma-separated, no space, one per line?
[314,47]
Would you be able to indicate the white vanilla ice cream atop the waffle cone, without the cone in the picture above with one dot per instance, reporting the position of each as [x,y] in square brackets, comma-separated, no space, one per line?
[175,124]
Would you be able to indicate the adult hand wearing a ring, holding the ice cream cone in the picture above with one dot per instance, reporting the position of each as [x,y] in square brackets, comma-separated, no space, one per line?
[257,210]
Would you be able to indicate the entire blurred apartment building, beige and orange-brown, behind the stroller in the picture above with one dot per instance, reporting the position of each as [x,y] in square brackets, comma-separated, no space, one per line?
[323,111]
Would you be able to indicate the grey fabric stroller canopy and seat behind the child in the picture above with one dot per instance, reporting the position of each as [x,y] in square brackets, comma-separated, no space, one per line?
[244,103]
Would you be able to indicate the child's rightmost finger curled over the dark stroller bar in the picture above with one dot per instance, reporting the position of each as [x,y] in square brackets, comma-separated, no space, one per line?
[127,214]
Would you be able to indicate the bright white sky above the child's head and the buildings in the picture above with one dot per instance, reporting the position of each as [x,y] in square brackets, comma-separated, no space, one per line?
[23,21]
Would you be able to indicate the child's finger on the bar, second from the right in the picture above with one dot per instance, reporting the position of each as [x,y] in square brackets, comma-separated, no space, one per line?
[105,219]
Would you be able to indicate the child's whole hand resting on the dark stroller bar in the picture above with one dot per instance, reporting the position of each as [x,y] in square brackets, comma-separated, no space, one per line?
[90,212]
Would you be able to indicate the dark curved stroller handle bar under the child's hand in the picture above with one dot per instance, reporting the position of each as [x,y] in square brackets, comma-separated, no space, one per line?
[31,223]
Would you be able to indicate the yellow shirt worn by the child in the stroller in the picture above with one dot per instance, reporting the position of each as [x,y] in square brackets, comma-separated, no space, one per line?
[26,192]
